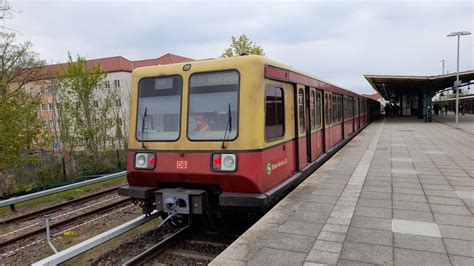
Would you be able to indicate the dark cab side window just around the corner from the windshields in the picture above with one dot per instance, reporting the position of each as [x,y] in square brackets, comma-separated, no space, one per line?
[274,113]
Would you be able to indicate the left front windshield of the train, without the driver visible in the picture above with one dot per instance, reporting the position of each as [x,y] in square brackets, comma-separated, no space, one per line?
[159,108]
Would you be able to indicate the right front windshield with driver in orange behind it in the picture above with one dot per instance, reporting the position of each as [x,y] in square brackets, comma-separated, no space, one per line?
[210,95]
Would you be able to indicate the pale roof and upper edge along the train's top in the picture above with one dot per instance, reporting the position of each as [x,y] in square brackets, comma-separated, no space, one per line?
[280,72]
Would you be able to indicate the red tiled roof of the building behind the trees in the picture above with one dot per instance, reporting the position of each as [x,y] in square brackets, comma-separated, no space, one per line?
[114,64]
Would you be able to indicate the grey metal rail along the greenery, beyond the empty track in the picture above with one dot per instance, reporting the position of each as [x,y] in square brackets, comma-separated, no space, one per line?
[12,201]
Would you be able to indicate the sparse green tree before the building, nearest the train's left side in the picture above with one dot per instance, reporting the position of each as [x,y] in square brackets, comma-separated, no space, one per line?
[83,110]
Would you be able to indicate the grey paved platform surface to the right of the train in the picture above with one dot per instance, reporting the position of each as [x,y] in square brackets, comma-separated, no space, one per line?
[401,193]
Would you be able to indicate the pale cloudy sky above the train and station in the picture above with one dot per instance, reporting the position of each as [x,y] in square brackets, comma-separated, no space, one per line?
[338,41]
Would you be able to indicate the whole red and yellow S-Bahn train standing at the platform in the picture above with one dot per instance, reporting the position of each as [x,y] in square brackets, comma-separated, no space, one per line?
[235,134]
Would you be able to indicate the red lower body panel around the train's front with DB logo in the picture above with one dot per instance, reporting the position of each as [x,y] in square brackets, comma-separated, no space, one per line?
[257,171]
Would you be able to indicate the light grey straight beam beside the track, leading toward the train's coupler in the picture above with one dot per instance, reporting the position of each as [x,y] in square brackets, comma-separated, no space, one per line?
[95,241]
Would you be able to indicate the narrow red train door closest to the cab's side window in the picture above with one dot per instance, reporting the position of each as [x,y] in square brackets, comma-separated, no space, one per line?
[302,143]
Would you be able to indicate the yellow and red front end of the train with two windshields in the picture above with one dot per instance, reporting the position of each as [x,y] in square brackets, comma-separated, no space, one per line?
[191,136]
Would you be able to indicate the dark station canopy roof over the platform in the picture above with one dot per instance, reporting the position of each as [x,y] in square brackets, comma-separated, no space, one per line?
[392,86]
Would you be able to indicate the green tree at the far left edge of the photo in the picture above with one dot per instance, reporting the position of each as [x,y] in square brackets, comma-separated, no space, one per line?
[19,122]
